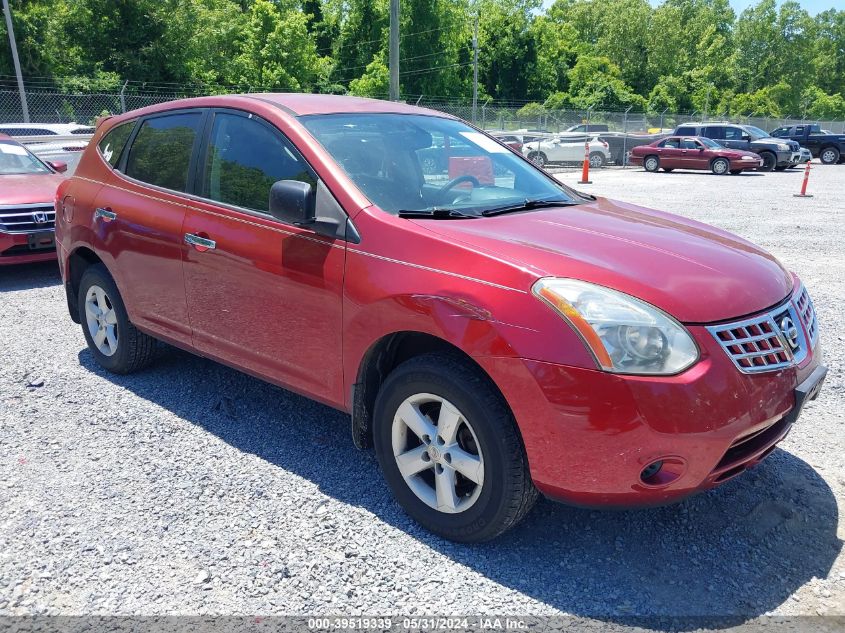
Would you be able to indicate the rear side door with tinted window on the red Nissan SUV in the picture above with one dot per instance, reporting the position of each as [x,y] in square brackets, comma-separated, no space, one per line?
[139,214]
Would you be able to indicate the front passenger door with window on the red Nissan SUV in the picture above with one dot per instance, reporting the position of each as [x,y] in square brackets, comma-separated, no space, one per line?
[262,295]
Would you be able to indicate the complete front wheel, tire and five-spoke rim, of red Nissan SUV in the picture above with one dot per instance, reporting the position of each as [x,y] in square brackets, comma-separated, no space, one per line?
[449,449]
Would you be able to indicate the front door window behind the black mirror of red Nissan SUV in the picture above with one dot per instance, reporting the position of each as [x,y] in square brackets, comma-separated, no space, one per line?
[244,158]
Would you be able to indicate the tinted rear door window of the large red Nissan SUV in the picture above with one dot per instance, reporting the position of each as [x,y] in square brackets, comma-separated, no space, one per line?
[161,152]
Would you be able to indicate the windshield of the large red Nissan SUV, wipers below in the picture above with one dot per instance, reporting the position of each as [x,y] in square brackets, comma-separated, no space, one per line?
[413,162]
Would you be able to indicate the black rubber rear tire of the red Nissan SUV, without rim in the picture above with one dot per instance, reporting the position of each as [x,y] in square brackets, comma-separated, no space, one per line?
[134,349]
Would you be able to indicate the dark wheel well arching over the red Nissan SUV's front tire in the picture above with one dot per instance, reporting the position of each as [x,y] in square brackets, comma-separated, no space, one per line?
[382,358]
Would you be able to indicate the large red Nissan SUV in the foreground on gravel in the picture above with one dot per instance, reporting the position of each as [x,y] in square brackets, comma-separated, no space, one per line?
[492,332]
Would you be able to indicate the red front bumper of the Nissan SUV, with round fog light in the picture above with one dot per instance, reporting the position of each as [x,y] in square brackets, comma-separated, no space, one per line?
[589,434]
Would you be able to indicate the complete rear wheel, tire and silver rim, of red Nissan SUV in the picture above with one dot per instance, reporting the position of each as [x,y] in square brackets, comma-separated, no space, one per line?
[115,343]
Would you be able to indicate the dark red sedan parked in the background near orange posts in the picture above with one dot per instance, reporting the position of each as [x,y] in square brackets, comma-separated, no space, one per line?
[693,152]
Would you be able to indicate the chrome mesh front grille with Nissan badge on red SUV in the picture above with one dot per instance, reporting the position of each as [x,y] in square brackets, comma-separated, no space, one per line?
[770,341]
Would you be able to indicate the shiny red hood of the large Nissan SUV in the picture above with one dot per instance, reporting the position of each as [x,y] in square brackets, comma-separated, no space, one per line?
[695,272]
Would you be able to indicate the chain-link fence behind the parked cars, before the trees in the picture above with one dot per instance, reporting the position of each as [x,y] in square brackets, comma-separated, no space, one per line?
[59,107]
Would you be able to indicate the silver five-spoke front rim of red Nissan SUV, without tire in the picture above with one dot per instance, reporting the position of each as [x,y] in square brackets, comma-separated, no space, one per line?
[437,453]
